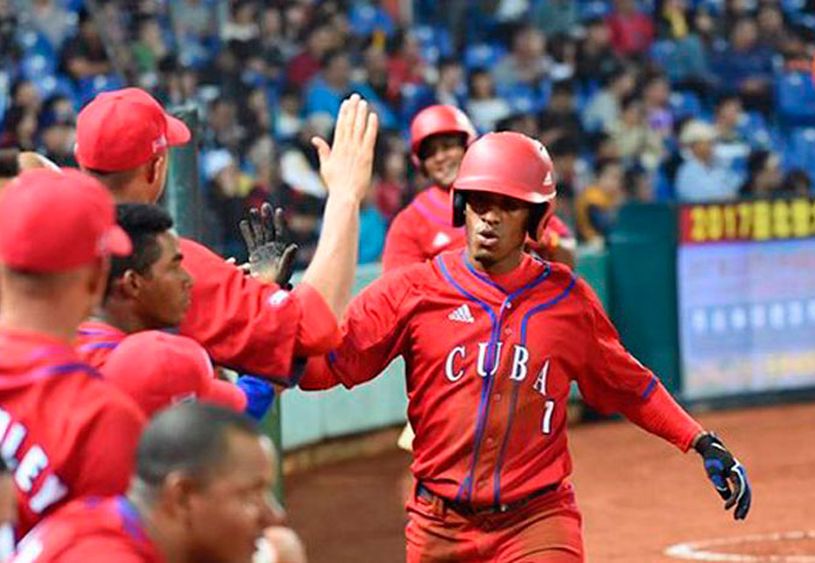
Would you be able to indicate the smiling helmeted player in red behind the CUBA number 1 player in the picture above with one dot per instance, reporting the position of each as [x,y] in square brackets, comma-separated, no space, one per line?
[439,136]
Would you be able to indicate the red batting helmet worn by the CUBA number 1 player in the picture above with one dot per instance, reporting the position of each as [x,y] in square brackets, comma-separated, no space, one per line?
[509,164]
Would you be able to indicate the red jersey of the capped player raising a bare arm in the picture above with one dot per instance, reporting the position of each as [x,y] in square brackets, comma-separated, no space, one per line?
[250,326]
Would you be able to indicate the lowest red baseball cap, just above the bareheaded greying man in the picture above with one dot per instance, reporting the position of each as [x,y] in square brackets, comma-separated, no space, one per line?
[158,369]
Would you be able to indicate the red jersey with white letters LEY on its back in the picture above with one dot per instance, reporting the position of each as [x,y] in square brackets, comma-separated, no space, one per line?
[64,431]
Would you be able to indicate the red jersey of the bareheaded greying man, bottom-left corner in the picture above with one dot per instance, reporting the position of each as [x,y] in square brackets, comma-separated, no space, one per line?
[90,530]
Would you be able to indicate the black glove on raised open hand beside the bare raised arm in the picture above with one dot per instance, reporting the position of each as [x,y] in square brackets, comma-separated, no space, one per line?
[271,259]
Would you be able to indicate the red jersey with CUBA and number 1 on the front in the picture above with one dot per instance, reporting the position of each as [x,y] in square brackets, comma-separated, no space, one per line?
[489,364]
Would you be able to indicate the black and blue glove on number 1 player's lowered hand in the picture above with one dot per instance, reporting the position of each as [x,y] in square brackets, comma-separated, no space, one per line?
[726,473]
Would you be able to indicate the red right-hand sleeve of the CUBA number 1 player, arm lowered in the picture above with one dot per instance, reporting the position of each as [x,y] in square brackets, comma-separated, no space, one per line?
[616,381]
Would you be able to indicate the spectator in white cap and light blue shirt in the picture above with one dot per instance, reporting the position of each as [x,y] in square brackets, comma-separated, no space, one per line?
[701,178]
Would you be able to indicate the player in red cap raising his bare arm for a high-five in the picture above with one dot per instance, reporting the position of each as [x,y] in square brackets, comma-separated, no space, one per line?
[253,327]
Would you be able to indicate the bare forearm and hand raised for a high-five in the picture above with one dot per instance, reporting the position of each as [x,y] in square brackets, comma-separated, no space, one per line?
[346,168]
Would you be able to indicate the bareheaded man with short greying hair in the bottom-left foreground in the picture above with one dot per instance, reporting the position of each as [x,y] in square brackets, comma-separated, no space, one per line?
[199,494]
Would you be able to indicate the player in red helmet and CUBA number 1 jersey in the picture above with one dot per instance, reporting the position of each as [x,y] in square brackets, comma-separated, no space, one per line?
[492,339]
